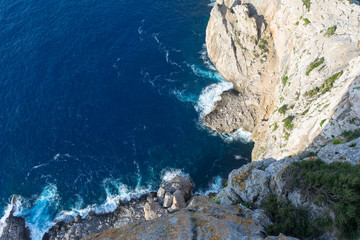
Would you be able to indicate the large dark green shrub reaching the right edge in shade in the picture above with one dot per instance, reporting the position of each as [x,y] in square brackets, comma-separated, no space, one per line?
[337,185]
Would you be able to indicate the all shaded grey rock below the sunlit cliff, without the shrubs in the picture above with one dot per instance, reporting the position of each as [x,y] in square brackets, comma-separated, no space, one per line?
[173,212]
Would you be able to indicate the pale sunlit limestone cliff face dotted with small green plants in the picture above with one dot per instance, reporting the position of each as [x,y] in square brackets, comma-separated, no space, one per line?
[296,69]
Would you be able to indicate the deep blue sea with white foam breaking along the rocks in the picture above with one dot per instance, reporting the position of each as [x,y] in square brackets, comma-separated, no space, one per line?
[103,98]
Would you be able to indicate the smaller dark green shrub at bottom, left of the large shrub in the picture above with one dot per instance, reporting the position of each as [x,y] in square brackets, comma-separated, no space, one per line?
[291,220]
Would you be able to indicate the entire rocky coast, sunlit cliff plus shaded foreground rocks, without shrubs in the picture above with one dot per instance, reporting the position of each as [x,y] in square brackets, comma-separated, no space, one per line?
[296,75]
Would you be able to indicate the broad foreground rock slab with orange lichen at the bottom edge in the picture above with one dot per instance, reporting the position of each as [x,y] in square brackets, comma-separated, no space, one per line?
[207,221]
